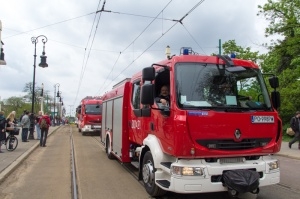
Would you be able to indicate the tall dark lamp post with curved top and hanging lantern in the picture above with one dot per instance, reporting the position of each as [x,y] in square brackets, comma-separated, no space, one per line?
[43,64]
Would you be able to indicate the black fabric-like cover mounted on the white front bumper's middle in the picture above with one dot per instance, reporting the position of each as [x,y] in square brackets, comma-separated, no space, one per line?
[241,181]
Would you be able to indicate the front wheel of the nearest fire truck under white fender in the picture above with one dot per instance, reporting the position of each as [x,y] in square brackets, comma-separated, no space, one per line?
[148,173]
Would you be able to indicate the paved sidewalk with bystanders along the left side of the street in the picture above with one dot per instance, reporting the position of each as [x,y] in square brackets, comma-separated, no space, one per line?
[9,160]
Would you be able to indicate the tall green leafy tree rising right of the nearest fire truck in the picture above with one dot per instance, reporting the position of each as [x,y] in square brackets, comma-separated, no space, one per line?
[283,57]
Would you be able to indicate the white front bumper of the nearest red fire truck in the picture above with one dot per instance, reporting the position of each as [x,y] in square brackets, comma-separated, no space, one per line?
[211,180]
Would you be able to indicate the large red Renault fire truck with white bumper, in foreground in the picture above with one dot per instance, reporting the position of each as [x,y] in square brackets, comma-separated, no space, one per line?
[204,140]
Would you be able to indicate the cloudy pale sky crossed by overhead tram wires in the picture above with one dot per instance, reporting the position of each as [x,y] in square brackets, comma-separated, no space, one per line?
[88,51]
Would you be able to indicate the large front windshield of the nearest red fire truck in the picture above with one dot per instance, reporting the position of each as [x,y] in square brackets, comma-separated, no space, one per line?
[215,86]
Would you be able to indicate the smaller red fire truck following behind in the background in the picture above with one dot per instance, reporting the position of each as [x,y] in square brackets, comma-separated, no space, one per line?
[89,114]
